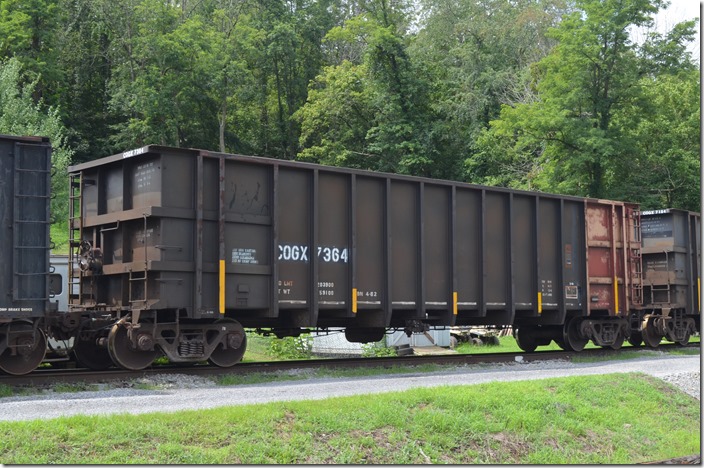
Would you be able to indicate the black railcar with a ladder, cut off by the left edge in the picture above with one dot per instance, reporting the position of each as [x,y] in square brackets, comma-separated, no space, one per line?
[25,172]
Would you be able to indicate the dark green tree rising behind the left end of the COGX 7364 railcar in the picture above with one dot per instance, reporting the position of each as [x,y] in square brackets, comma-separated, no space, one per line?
[159,87]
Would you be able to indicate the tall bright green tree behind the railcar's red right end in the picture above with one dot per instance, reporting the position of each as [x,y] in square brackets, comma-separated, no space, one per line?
[592,75]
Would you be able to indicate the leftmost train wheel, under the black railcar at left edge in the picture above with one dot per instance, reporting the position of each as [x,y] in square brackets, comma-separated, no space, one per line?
[25,350]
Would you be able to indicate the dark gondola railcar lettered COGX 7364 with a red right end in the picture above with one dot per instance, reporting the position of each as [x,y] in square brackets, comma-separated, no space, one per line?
[187,247]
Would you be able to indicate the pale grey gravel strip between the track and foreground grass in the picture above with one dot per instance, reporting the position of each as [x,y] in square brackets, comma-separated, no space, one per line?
[177,393]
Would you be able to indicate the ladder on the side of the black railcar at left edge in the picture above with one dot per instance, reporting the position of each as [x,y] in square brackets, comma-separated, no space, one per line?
[26,218]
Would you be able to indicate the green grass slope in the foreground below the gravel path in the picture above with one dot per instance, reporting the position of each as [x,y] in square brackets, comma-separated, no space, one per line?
[613,419]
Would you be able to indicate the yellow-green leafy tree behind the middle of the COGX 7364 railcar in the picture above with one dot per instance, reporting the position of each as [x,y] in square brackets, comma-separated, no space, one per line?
[373,113]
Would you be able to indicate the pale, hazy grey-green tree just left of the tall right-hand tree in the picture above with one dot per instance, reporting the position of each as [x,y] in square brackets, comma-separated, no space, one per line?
[477,53]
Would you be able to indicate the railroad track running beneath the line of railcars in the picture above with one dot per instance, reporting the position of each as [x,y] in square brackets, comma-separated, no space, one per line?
[48,376]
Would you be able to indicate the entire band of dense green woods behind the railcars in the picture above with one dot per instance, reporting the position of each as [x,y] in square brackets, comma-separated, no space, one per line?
[549,95]
